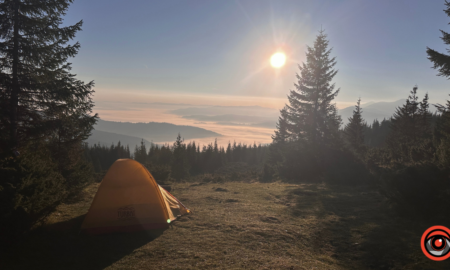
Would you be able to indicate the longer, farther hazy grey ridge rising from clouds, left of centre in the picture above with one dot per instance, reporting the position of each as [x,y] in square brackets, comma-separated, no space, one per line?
[154,131]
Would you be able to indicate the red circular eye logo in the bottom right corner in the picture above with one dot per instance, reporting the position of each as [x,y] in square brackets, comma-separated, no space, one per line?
[435,243]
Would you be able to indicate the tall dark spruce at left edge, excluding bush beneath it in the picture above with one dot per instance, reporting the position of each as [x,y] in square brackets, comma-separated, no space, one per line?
[39,97]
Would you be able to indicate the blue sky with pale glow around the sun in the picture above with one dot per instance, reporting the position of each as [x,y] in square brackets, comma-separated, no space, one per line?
[178,51]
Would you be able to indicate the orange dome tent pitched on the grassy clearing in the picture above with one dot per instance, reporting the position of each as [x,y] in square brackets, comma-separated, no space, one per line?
[129,199]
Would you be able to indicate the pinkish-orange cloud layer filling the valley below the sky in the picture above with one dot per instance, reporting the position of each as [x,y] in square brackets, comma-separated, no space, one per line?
[246,124]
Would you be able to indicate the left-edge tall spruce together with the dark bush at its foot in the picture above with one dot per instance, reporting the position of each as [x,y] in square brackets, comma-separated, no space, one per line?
[45,112]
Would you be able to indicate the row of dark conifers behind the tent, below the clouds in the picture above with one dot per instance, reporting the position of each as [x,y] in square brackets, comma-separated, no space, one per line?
[180,160]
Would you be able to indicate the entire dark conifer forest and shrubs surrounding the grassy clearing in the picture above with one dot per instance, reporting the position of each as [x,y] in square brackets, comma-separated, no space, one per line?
[46,115]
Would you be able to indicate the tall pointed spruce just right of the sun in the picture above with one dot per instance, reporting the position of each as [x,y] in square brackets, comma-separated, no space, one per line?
[311,116]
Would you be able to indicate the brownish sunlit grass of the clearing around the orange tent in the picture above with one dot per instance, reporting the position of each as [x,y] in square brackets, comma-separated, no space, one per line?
[249,226]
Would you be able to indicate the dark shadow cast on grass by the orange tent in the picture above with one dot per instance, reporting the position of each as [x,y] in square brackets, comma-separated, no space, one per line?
[61,246]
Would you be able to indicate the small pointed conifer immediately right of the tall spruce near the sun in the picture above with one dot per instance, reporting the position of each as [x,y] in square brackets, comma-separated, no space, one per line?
[354,130]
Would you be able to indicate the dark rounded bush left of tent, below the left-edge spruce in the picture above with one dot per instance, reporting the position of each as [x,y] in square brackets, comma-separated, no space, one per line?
[30,189]
